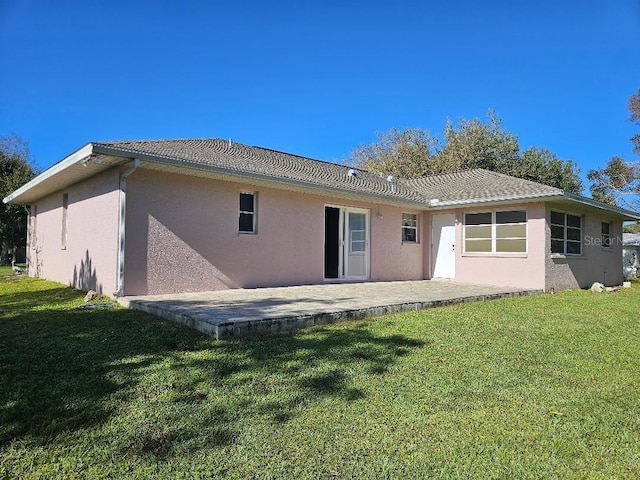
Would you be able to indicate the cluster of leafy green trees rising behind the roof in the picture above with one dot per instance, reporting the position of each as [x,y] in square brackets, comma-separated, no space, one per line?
[474,143]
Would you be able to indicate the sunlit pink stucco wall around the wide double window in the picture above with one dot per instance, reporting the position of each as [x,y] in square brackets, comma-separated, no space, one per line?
[513,270]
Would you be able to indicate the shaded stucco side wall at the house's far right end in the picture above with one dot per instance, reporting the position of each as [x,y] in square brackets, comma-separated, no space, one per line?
[596,264]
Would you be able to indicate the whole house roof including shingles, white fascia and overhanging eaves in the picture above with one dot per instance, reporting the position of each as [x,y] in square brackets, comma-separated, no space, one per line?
[225,159]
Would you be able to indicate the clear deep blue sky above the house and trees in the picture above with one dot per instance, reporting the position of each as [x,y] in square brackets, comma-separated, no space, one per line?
[318,78]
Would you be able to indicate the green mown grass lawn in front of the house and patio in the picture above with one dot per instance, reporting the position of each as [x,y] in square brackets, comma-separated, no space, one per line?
[532,387]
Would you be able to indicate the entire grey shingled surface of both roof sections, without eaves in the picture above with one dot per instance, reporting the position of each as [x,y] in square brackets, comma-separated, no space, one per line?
[480,185]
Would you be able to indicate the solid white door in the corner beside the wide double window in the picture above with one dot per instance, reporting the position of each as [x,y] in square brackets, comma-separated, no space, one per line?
[443,247]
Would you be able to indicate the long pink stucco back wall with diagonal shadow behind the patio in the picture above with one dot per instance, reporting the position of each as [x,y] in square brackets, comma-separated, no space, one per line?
[182,235]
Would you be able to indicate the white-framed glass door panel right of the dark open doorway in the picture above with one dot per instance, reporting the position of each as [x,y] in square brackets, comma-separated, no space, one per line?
[356,252]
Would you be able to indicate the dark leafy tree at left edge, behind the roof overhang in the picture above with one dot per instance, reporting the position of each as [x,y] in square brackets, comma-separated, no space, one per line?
[16,168]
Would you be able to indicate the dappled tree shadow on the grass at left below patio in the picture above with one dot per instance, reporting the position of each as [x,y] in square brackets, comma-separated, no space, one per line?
[71,370]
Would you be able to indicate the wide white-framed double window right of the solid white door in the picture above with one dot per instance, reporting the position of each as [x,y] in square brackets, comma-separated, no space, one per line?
[496,232]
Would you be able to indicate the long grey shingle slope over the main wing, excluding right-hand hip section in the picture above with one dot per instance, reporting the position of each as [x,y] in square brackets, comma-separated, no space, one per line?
[270,164]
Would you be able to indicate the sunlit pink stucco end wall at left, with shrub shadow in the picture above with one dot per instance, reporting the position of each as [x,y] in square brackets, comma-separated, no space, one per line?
[88,261]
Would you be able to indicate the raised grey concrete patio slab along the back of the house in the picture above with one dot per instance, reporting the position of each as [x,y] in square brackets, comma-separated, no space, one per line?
[243,312]
